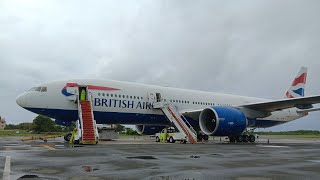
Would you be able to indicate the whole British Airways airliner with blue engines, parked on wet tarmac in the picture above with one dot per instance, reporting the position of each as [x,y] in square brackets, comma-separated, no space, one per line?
[116,102]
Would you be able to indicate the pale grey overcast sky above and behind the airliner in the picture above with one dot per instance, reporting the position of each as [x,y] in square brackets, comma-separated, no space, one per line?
[252,48]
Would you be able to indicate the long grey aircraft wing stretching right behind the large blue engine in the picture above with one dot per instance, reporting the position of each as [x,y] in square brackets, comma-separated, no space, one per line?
[270,106]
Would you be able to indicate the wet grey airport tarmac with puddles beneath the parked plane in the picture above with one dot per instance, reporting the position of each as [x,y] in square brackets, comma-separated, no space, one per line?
[145,159]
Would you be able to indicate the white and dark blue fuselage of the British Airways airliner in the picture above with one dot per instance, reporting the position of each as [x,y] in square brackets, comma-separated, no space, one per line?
[126,103]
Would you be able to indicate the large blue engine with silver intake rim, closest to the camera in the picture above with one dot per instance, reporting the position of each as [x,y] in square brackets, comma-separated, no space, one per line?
[222,121]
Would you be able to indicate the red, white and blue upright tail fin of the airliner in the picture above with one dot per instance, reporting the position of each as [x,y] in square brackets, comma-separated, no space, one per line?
[298,85]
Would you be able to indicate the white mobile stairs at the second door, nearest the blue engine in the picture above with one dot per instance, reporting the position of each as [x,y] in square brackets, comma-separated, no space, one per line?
[178,120]
